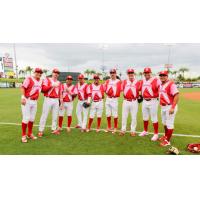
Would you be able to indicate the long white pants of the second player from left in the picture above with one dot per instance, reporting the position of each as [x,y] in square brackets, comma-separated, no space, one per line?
[50,104]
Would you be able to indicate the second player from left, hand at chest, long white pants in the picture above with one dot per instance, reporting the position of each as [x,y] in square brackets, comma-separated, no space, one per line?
[52,89]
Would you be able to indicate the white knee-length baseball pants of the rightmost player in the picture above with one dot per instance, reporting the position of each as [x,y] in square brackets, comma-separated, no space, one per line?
[167,119]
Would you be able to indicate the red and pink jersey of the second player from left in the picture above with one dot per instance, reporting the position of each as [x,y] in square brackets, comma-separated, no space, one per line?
[49,90]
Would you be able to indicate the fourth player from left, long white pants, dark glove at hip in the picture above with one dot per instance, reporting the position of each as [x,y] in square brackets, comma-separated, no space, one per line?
[82,92]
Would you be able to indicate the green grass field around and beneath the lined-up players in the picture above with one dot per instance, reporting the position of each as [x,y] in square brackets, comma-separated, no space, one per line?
[187,122]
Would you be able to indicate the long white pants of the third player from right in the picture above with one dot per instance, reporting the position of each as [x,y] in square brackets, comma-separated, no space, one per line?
[132,108]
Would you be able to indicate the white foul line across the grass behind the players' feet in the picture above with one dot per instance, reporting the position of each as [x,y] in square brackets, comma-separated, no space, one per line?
[176,134]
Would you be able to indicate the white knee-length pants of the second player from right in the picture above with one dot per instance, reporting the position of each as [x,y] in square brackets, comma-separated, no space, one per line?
[150,108]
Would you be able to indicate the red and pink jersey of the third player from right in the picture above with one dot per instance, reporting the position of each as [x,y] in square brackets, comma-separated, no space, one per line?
[130,89]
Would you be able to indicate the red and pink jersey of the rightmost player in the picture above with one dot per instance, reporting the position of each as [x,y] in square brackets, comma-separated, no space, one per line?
[167,92]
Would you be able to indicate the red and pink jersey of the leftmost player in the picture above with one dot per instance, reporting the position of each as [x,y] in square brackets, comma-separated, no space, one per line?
[32,88]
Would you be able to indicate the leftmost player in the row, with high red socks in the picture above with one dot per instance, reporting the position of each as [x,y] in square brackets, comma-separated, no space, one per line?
[31,89]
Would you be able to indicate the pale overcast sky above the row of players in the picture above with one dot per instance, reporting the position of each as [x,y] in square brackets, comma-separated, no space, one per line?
[78,57]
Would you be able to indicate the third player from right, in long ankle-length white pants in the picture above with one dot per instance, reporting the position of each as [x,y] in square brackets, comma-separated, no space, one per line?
[130,88]
